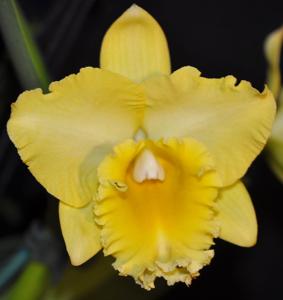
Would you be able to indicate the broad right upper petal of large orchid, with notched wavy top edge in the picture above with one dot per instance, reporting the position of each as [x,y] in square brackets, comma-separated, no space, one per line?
[233,121]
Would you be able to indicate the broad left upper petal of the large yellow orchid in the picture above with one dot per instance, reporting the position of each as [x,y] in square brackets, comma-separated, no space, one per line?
[62,136]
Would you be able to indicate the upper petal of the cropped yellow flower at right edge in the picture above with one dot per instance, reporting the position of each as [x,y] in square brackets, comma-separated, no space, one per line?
[272,47]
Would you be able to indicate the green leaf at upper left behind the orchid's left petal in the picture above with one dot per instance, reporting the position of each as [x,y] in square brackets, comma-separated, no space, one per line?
[21,47]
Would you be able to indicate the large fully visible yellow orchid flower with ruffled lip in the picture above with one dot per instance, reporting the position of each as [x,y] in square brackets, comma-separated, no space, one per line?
[146,164]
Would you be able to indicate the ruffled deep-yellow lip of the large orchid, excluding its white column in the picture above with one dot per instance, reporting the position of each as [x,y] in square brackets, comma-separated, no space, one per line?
[158,228]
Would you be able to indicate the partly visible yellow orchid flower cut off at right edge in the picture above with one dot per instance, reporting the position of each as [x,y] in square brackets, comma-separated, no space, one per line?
[272,47]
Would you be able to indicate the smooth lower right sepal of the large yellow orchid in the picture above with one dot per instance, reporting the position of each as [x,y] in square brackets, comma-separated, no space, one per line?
[236,216]
